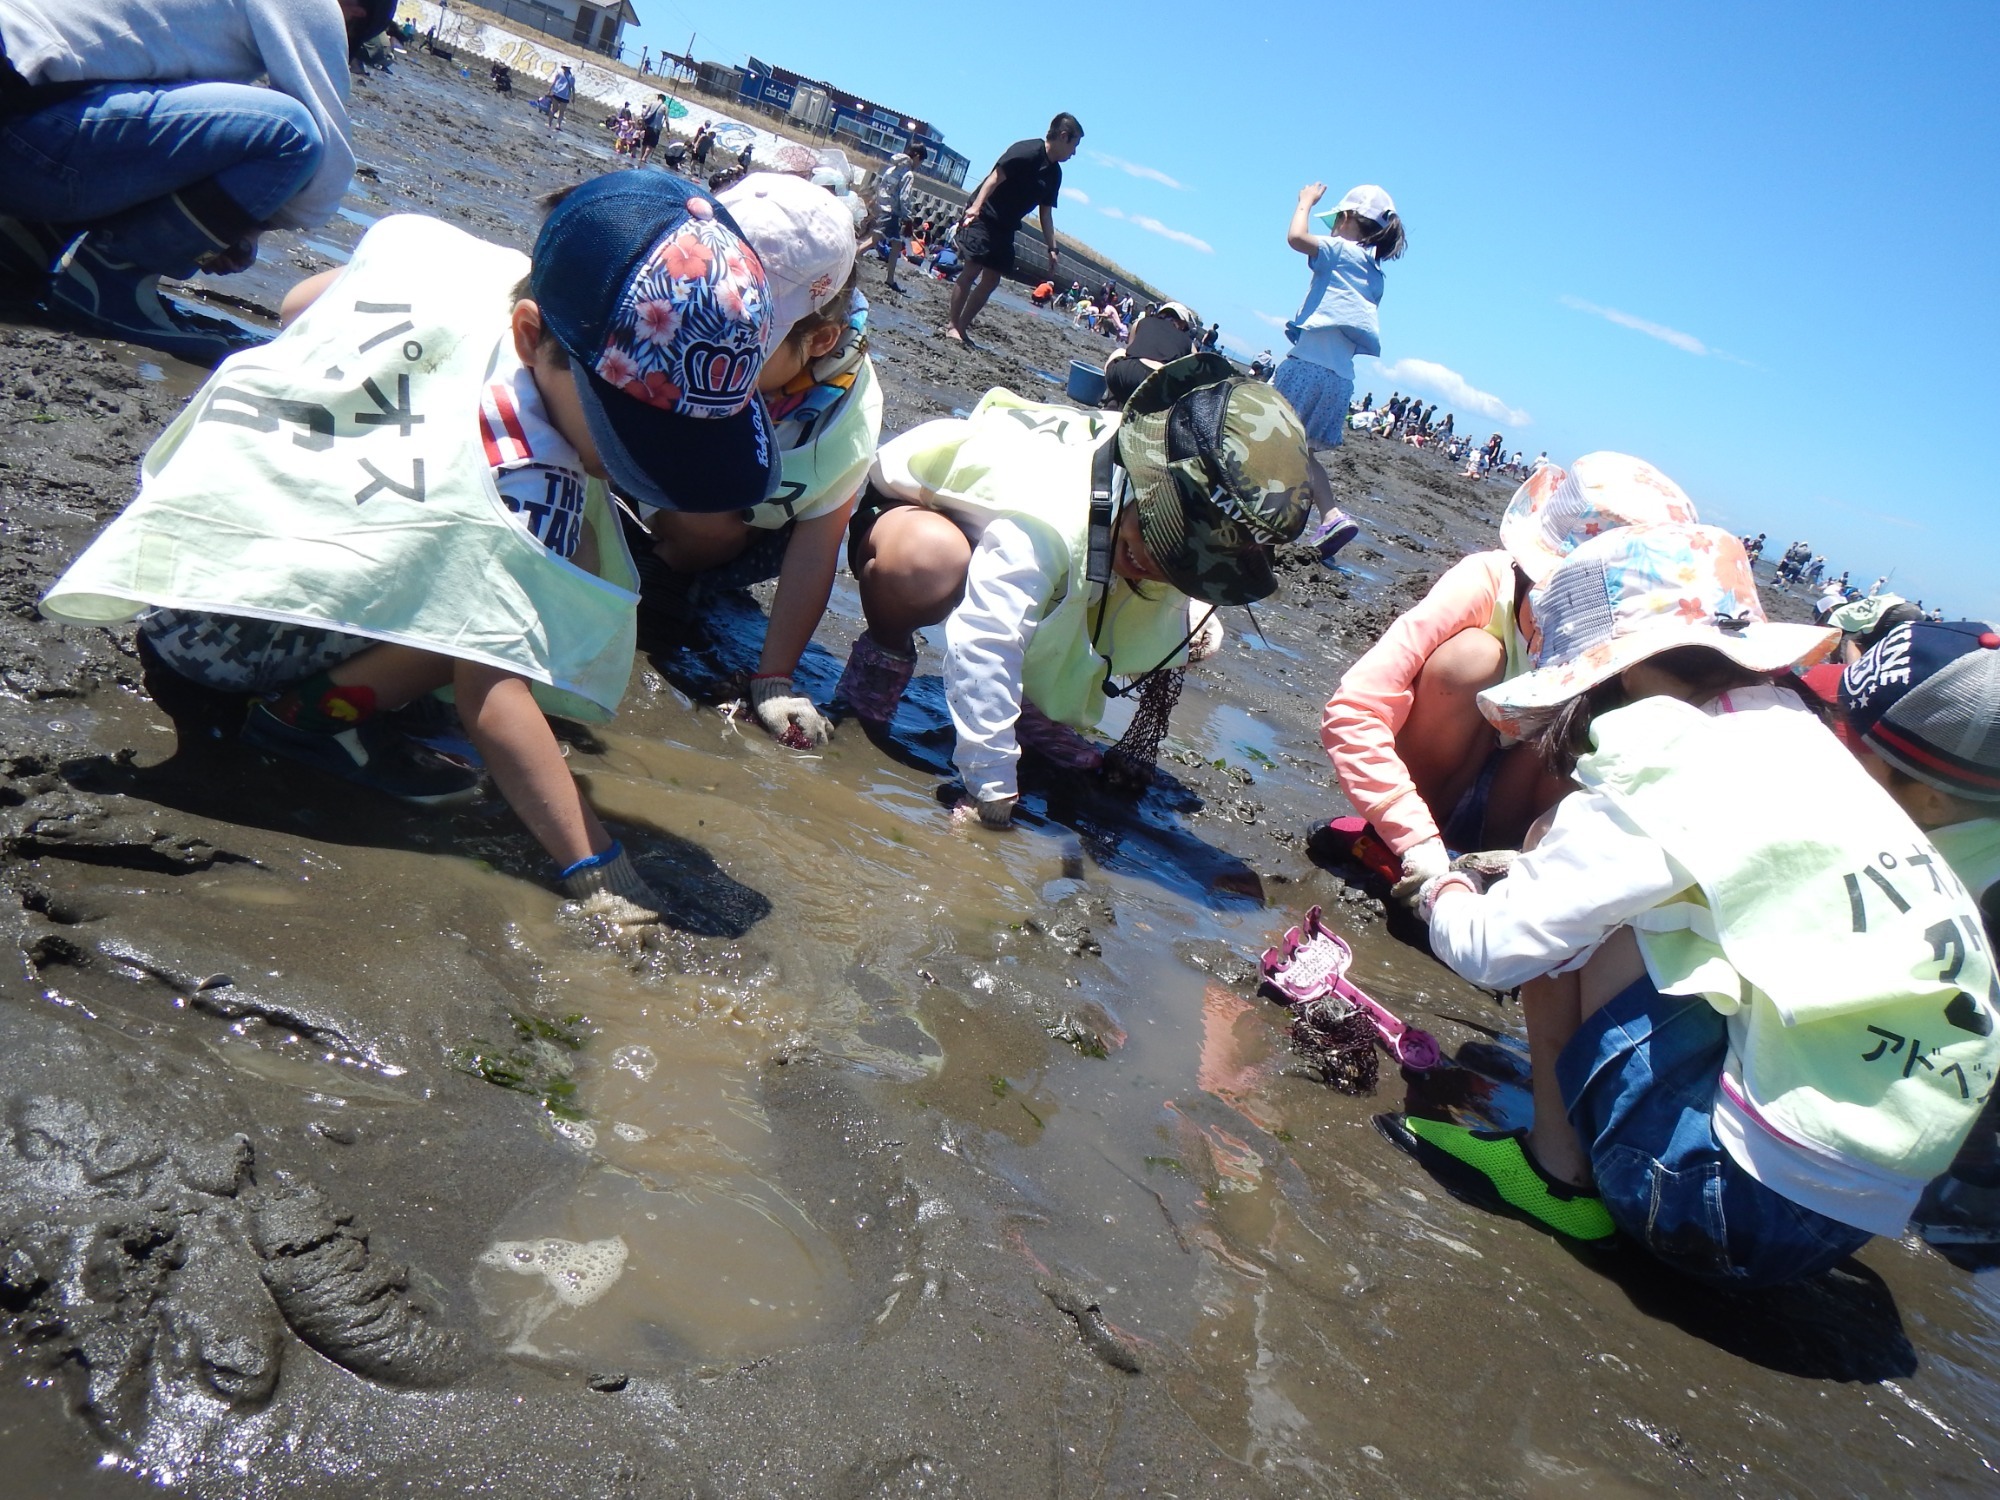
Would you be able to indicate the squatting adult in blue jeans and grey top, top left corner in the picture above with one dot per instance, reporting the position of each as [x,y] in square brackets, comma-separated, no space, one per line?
[137,143]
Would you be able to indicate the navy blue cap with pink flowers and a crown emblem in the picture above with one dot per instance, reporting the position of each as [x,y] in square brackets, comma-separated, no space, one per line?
[663,309]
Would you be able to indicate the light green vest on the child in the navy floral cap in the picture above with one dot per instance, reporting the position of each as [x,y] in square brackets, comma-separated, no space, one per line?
[337,479]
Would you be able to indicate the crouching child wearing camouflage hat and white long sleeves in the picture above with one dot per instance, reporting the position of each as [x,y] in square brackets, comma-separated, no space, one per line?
[1063,549]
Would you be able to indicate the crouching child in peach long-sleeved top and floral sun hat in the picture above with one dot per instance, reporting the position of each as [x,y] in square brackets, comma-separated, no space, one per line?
[1411,749]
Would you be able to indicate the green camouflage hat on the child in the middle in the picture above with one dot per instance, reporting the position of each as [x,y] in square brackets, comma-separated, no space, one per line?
[1223,471]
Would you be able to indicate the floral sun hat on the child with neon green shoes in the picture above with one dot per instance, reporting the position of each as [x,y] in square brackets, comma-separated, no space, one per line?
[1635,593]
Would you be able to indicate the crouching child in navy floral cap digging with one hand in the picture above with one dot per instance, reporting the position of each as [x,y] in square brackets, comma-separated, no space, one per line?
[407,491]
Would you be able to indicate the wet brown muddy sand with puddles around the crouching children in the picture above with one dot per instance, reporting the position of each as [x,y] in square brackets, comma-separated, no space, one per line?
[923,1163]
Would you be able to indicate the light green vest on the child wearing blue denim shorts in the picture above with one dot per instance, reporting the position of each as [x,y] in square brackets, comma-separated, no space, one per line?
[1839,941]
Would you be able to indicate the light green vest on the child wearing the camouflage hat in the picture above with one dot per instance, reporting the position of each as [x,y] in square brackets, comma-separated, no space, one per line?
[1031,463]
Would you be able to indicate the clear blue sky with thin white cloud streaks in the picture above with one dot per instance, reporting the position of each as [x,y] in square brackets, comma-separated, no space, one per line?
[1755,245]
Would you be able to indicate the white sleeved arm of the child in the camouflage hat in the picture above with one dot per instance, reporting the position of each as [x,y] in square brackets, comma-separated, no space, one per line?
[1009,589]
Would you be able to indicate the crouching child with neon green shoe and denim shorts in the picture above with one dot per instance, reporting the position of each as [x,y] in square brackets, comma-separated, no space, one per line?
[1761,1011]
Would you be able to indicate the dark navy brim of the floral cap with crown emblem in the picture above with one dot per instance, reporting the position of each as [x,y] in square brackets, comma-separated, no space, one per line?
[669,461]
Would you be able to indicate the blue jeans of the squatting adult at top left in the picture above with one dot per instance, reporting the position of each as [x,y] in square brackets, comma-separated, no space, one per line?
[161,175]
